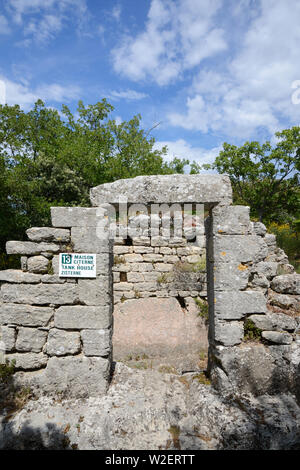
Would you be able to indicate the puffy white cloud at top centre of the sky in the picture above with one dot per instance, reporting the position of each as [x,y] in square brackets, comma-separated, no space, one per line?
[178,35]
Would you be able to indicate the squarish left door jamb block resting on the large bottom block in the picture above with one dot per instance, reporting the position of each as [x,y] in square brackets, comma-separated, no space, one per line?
[96,342]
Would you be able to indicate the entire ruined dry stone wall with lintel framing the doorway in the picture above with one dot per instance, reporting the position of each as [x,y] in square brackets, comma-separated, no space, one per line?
[59,330]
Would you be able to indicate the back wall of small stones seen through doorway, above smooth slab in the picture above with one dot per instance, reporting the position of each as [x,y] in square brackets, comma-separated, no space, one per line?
[160,266]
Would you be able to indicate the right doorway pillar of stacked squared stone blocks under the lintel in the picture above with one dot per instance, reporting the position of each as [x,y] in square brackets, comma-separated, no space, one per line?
[231,250]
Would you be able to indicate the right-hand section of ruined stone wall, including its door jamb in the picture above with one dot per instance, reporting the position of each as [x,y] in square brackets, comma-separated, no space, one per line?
[254,298]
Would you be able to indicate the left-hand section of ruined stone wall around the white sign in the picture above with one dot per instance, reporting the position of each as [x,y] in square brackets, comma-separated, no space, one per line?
[59,329]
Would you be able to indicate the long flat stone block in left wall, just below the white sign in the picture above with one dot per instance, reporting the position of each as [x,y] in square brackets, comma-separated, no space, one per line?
[40,294]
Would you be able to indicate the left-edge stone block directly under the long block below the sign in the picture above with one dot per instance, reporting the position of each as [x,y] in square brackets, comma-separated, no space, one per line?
[25,315]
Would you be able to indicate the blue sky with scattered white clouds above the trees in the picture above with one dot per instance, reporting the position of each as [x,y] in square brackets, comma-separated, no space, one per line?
[208,71]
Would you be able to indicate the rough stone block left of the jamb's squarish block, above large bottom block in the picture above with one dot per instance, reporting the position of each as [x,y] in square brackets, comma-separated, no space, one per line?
[63,343]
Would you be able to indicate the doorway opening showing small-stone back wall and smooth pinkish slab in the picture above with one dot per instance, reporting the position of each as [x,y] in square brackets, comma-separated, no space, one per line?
[160,301]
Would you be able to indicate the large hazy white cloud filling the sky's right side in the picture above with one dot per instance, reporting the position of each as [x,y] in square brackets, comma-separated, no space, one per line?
[254,90]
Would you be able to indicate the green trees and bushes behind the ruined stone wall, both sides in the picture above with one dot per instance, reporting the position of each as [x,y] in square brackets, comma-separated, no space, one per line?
[50,158]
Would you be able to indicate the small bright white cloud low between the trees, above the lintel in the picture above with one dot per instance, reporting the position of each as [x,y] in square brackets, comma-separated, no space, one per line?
[182,149]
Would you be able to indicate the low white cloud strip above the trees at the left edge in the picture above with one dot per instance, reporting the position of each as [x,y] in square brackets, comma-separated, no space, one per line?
[23,95]
